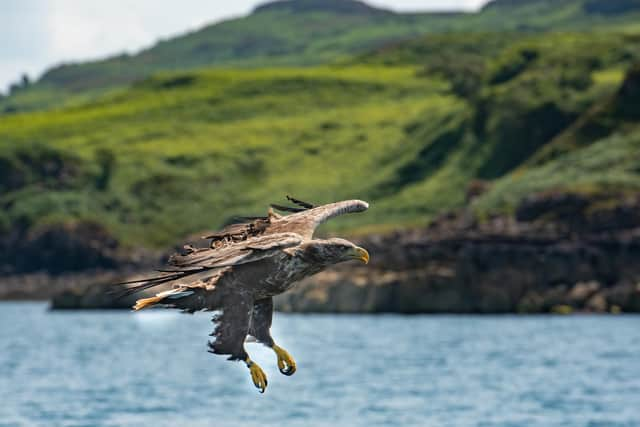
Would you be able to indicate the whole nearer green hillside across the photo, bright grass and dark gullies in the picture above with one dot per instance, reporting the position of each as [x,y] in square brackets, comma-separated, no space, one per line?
[407,127]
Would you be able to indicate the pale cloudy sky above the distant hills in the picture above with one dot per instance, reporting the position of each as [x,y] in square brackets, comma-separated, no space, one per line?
[37,34]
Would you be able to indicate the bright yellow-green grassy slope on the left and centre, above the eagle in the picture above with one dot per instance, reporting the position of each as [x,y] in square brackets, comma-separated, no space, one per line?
[191,150]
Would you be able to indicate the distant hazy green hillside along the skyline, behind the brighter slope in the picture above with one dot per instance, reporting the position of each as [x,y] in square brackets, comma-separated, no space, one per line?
[309,32]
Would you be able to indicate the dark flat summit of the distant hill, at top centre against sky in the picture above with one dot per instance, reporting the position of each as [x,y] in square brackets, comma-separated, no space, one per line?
[332,6]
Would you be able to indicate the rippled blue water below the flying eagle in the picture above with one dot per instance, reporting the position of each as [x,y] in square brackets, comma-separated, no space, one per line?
[152,369]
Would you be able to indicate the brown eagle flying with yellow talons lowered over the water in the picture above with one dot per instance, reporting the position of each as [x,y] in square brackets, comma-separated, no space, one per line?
[245,265]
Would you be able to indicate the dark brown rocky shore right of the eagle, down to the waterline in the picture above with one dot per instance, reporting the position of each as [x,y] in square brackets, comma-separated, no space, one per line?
[586,259]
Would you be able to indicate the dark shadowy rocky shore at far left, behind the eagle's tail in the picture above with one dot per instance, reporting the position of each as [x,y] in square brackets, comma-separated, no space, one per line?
[71,264]
